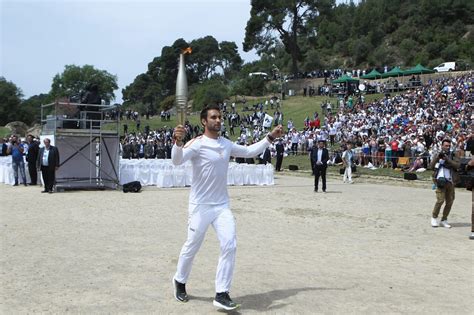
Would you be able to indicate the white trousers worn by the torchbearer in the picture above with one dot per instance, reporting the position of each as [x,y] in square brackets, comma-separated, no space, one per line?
[223,222]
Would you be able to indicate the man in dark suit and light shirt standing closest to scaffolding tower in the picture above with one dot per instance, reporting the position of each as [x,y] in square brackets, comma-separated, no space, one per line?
[48,163]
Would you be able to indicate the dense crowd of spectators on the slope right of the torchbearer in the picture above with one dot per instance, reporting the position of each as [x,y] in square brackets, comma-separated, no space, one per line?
[409,125]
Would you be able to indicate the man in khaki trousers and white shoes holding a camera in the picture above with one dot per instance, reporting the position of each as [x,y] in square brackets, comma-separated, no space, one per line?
[445,177]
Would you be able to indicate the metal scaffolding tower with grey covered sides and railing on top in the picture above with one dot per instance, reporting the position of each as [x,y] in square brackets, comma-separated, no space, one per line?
[87,137]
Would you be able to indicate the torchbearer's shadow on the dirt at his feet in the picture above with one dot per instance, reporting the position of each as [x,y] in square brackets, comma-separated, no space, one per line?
[262,302]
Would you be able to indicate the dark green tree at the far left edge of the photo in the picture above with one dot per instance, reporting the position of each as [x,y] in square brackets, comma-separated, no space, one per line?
[10,101]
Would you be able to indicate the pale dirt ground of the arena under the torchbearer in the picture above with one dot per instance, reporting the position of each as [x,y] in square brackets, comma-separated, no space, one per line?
[361,248]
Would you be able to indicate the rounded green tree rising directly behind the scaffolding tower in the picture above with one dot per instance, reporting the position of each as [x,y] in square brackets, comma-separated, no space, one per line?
[74,80]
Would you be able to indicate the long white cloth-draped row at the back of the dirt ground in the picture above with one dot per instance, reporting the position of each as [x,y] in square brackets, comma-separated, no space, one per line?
[162,173]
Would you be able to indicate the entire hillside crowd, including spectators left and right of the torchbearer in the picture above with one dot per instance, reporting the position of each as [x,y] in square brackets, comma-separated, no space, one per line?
[410,125]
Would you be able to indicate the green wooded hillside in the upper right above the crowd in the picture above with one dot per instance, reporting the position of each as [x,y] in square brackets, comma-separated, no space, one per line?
[375,33]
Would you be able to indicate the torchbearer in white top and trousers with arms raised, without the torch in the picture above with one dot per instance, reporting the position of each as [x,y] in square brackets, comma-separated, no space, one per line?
[209,200]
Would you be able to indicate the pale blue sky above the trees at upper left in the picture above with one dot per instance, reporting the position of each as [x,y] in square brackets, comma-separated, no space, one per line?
[39,37]
